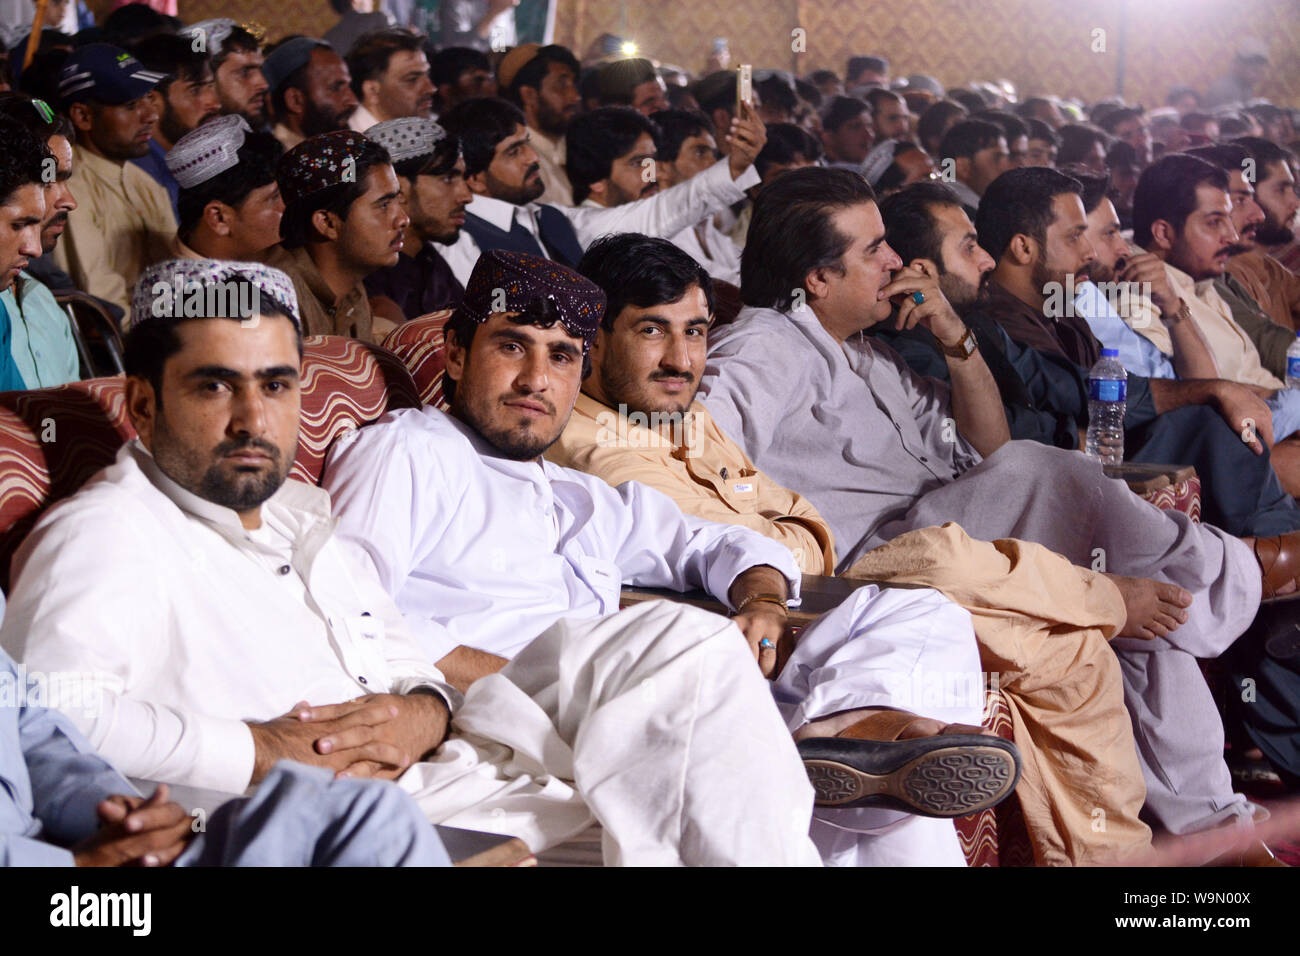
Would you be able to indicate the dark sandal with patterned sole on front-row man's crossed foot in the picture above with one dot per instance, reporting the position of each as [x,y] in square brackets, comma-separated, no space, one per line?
[947,776]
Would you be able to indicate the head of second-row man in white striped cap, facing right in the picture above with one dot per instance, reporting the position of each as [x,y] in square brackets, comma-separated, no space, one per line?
[229,200]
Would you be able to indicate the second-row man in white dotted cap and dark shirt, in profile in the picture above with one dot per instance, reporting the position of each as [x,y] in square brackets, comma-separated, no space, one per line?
[432,174]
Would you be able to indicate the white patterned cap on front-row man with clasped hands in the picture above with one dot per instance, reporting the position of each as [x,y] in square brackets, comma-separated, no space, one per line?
[210,288]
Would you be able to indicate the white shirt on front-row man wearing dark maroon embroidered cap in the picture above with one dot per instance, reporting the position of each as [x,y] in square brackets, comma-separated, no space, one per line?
[486,552]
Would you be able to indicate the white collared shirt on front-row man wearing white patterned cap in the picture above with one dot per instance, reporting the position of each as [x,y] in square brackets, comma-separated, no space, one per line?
[189,625]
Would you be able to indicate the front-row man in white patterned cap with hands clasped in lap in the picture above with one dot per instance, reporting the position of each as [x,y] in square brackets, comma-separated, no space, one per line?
[210,600]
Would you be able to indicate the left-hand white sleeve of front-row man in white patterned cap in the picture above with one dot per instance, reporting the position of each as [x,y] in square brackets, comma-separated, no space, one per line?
[88,611]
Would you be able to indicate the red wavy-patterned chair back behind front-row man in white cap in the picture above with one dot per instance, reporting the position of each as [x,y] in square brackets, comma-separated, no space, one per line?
[54,440]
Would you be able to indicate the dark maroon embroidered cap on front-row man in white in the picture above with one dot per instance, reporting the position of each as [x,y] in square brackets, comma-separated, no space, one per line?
[506,282]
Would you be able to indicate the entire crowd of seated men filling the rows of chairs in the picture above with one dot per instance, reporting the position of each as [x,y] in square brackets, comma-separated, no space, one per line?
[695,341]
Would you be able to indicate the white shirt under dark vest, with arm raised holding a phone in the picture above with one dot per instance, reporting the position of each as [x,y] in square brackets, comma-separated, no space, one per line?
[662,215]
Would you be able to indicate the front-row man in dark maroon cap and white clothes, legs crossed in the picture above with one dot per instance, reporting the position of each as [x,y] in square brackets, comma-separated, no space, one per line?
[486,546]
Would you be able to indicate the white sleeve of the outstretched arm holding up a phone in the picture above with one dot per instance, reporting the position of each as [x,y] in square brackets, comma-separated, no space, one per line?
[665,214]
